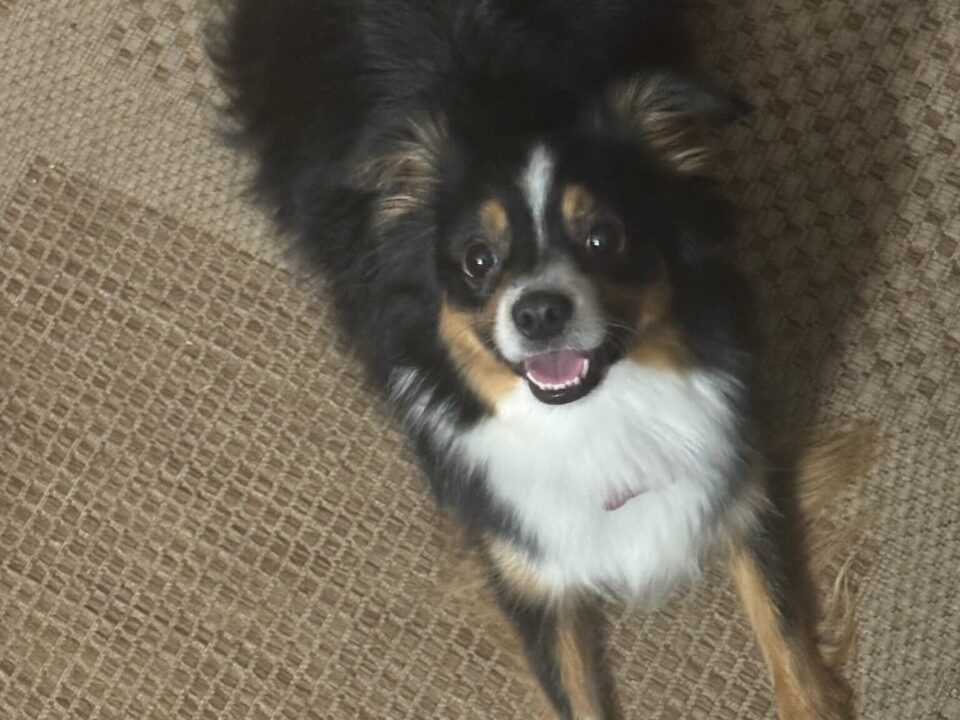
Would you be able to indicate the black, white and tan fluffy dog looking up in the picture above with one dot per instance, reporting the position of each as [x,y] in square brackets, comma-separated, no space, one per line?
[510,202]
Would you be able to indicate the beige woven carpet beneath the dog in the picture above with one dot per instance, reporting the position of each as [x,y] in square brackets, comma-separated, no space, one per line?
[202,513]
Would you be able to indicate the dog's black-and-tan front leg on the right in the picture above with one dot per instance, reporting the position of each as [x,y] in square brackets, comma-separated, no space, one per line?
[804,687]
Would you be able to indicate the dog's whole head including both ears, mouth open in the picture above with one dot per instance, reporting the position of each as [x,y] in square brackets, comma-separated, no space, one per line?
[560,254]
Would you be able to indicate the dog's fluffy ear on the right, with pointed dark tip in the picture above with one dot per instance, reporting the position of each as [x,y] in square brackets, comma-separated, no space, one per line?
[672,113]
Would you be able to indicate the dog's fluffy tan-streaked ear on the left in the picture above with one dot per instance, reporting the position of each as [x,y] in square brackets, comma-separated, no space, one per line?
[404,170]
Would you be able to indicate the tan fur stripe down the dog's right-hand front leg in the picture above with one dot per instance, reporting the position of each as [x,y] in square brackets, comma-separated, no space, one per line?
[804,687]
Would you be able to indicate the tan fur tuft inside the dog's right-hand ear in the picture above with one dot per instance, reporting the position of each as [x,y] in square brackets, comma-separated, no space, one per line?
[649,112]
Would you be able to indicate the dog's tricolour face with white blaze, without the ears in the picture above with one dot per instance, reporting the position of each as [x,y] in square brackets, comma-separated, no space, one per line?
[554,270]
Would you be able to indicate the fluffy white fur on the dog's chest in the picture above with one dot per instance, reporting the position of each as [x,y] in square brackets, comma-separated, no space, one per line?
[667,435]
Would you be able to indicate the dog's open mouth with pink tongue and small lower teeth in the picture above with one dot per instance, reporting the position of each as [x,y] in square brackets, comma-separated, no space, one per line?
[563,376]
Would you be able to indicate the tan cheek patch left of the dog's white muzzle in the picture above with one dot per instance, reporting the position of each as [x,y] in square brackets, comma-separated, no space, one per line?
[486,375]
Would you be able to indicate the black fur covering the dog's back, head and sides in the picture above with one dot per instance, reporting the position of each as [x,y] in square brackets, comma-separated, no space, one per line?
[327,93]
